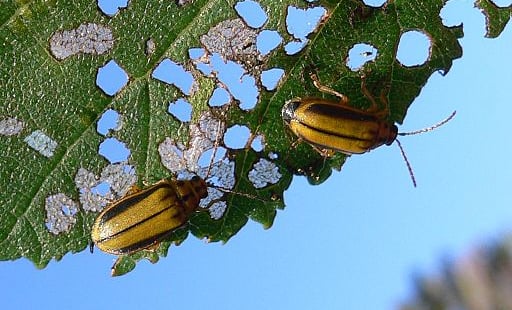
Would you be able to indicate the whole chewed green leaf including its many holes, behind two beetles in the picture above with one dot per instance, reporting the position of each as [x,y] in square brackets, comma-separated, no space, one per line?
[198,94]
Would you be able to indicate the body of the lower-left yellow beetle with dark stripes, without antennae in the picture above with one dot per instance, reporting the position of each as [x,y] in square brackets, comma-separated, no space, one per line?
[141,219]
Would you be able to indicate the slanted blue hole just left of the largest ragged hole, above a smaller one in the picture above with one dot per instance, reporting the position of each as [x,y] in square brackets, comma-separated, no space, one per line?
[172,73]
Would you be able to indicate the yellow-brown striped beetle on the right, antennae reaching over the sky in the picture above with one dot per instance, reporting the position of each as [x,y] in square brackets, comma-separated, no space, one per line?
[331,126]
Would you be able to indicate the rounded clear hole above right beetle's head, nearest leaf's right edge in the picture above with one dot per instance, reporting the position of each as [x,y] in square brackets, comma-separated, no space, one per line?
[413,48]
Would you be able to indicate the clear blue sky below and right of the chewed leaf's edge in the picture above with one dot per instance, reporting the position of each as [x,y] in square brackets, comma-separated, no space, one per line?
[352,243]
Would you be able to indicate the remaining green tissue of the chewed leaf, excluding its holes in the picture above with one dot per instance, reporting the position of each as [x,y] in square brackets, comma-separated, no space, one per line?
[58,99]
